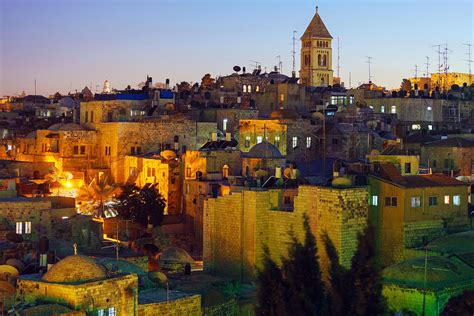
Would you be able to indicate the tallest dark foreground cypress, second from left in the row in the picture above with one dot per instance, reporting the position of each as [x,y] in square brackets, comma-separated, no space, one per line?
[305,294]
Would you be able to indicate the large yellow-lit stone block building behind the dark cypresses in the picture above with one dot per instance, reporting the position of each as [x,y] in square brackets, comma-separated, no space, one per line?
[238,225]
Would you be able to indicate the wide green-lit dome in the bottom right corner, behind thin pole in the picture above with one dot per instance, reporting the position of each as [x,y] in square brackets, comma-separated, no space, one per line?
[441,272]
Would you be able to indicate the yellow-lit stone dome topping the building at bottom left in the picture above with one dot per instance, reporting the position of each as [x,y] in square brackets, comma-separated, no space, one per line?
[75,268]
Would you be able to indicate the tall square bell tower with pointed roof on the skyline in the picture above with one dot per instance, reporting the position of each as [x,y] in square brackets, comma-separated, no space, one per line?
[316,54]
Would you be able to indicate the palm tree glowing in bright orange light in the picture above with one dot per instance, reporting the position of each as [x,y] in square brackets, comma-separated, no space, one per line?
[94,197]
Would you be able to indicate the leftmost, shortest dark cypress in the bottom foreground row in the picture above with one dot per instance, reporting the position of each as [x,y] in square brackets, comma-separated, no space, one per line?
[270,287]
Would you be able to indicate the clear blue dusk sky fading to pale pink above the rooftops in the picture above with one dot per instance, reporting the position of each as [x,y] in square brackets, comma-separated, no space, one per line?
[68,44]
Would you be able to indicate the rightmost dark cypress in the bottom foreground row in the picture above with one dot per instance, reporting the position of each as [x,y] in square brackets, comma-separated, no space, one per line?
[365,278]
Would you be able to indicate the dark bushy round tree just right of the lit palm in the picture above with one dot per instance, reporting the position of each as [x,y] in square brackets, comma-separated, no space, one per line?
[138,204]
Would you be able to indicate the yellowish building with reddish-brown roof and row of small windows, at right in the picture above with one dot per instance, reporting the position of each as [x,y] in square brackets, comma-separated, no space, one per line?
[408,211]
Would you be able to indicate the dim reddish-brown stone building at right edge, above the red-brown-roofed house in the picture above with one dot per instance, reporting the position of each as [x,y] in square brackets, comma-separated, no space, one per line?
[450,156]
